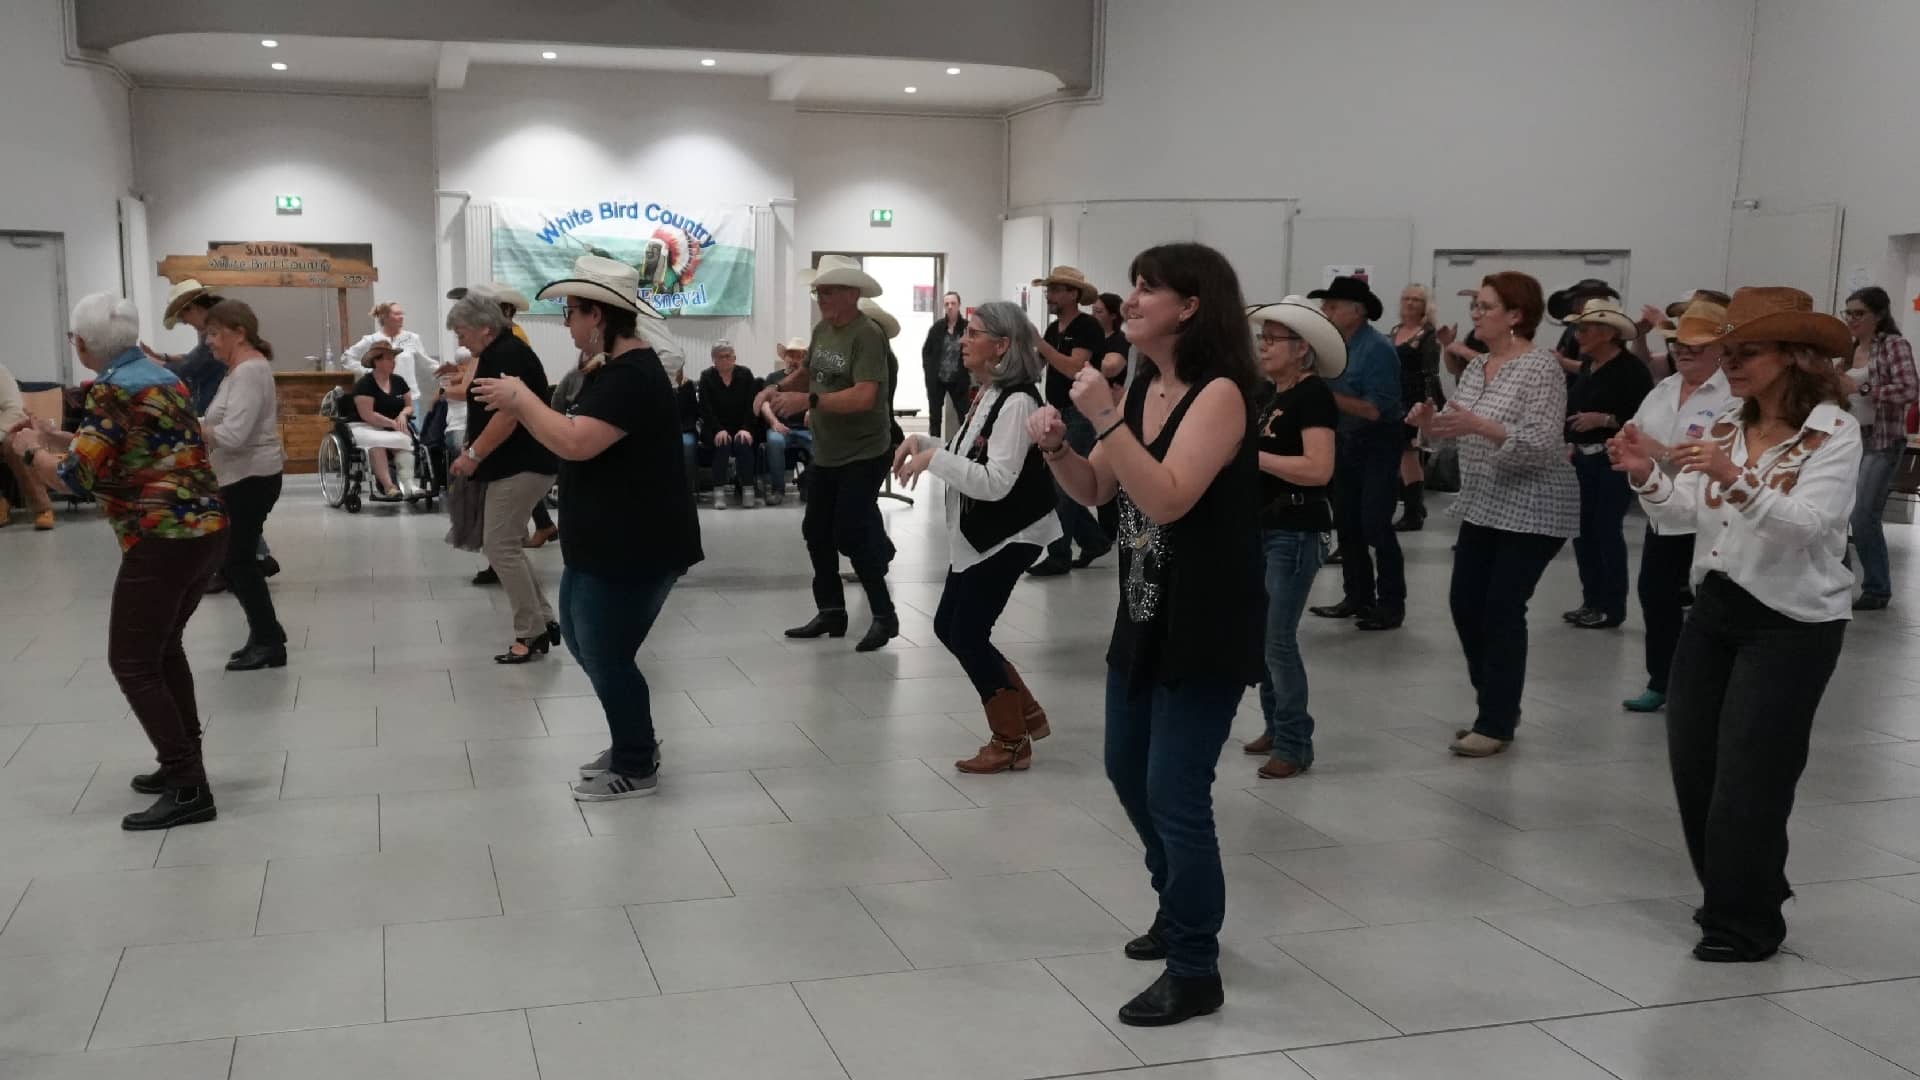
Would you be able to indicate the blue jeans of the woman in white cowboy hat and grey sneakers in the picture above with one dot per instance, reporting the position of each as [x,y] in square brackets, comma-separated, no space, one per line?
[604,624]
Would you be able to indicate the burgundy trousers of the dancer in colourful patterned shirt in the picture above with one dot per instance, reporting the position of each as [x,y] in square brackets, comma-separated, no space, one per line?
[156,593]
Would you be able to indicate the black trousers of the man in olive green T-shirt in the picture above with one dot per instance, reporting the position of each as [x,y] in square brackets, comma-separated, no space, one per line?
[844,520]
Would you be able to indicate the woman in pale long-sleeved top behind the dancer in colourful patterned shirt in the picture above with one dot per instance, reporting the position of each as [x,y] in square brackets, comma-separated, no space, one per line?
[243,431]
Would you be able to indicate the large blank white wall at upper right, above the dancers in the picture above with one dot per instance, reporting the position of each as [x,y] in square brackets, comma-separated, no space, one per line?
[1512,124]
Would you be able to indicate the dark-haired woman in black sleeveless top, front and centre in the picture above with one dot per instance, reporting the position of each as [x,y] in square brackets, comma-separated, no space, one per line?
[1188,635]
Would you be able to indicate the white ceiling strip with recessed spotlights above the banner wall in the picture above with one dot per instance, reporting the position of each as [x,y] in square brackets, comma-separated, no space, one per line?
[410,66]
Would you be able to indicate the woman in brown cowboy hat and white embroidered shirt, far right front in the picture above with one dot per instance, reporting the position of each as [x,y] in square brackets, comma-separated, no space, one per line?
[1767,491]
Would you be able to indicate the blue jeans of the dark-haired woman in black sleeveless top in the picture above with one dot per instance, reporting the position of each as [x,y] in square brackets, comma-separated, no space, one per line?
[1163,745]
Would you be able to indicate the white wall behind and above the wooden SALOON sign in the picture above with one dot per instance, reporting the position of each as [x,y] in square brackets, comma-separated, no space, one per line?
[210,164]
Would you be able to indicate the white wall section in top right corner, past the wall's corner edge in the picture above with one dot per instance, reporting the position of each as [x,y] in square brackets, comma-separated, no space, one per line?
[1833,122]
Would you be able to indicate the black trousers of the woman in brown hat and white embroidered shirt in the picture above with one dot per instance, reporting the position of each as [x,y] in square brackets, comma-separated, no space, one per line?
[1739,714]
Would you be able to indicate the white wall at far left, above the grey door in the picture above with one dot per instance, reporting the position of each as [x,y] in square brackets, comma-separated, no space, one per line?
[68,151]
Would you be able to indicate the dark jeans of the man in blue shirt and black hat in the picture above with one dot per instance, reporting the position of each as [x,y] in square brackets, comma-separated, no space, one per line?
[1366,487]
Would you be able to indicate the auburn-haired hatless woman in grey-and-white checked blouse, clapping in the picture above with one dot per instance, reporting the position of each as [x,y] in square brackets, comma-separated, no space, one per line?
[1520,501]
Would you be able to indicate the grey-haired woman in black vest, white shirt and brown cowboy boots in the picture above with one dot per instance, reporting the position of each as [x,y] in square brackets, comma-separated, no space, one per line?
[999,518]
